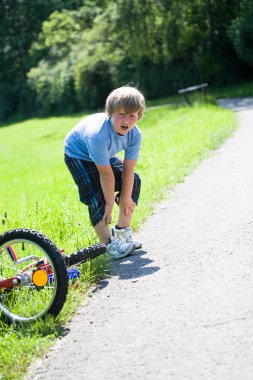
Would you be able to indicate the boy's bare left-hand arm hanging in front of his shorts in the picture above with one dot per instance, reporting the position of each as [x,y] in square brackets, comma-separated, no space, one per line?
[107,182]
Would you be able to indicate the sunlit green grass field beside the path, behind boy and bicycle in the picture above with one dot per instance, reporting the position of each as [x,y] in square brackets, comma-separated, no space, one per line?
[37,192]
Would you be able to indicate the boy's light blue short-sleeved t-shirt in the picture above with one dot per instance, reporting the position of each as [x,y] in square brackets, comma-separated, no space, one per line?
[94,139]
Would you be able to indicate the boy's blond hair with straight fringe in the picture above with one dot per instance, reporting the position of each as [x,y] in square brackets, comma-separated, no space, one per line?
[127,98]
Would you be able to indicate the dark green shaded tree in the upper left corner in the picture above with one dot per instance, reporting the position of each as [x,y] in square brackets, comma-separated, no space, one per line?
[20,23]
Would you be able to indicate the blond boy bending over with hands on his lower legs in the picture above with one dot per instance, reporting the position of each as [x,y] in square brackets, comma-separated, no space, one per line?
[90,149]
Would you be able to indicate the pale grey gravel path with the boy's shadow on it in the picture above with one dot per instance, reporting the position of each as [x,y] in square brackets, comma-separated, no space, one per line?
[182,308]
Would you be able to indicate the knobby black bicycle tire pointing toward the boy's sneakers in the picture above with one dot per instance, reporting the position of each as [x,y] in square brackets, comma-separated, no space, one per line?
[85,254]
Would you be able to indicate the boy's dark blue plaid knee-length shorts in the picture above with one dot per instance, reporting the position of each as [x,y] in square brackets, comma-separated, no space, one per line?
[86,177]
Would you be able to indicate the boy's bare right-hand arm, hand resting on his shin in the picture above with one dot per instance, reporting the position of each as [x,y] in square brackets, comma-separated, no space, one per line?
[126,202]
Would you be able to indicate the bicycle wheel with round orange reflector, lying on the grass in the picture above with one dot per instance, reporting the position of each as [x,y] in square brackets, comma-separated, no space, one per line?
[33,276]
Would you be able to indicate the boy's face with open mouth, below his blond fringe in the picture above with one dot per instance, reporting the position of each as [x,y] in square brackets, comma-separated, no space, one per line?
[122,122]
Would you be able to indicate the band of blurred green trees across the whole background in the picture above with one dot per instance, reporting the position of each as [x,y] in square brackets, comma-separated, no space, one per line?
[71,54]
